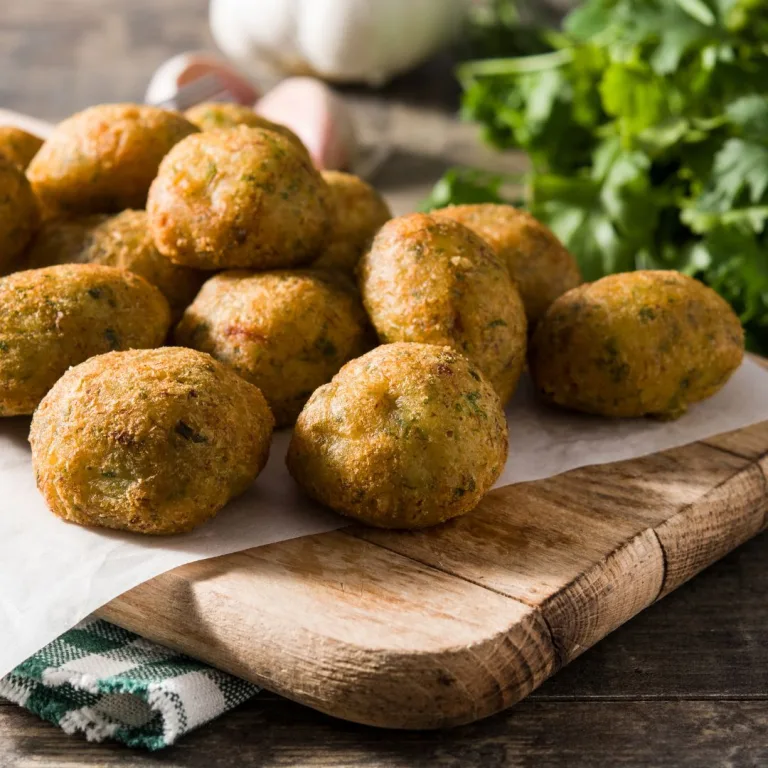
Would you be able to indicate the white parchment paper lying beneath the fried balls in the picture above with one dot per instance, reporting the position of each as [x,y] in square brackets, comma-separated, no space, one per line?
[52,574]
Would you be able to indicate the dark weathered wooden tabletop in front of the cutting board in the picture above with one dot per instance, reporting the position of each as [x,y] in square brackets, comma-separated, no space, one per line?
[684,683]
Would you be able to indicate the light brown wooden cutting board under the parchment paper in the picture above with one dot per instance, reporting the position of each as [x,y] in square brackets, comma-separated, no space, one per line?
[452,624]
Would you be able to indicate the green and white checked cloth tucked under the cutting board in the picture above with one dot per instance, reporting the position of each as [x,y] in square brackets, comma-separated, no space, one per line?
[107,682]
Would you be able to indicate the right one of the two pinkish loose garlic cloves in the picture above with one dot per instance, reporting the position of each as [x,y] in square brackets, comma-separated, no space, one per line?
[318,116]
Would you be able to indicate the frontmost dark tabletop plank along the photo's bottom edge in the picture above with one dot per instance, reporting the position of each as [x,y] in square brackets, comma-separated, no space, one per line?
[274,733]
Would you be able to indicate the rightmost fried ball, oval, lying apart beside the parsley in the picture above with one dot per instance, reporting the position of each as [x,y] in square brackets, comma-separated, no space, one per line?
[636,344]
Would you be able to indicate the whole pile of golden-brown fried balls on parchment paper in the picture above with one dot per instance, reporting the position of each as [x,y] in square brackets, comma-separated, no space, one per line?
[177,286]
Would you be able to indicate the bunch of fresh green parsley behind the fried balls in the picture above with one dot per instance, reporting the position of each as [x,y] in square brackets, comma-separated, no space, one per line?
[647,128]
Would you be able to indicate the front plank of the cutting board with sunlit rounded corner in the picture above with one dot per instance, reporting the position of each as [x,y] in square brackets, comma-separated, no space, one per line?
[332,622]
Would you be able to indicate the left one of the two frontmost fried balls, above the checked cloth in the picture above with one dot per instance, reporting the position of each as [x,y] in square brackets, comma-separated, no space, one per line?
[152,441]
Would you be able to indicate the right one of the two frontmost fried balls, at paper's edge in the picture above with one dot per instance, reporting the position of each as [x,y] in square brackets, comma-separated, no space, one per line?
[406,436]
